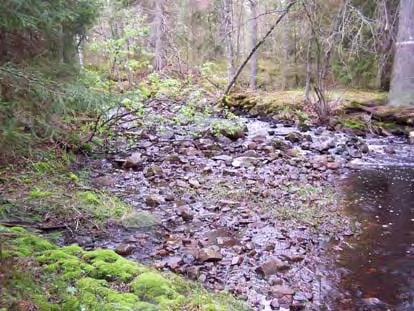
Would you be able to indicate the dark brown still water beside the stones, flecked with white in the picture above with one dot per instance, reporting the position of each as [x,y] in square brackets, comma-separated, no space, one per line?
[379,263]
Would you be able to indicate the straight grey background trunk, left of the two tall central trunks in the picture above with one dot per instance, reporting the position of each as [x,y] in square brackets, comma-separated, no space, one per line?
[159,52]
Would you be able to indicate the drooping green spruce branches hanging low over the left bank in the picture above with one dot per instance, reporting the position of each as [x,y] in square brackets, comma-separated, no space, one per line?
[34,109]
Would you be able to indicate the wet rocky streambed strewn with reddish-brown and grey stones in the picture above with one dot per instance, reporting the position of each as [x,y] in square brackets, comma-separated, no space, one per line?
[259,216]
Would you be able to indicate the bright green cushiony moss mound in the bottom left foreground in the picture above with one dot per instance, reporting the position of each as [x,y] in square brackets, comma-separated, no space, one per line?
[37,275]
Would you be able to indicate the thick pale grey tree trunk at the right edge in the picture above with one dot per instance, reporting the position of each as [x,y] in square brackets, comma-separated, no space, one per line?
[402,83]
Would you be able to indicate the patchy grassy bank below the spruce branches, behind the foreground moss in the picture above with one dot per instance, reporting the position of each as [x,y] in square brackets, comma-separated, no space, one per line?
[48,191]
